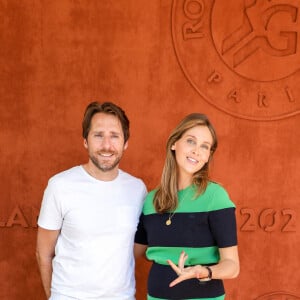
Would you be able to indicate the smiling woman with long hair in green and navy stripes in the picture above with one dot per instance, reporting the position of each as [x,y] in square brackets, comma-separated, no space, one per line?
[188,219]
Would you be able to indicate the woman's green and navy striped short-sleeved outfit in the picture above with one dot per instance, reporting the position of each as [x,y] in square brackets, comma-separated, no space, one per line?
[200,226]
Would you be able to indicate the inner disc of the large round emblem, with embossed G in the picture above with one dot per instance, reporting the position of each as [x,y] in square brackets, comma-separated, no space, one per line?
[261,41]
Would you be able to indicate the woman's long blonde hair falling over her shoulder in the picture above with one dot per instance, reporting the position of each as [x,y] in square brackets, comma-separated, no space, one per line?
[165,198]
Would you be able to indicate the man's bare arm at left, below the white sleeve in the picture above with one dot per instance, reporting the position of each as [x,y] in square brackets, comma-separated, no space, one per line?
[45,251]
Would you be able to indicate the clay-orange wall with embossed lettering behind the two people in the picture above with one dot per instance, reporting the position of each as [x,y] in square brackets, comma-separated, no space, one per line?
[236,61]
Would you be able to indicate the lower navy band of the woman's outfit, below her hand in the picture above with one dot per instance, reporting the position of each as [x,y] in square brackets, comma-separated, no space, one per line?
[160,277]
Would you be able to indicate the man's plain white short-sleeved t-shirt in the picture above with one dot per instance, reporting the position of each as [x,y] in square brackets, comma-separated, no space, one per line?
[98,219]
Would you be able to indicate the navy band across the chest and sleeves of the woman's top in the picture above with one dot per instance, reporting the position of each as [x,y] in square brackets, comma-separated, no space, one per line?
[199,229]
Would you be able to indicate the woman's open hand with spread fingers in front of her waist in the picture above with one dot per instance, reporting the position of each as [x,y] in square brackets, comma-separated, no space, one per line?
[188,272]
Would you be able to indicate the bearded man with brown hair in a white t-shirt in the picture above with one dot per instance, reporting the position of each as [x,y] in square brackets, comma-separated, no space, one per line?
[89,216]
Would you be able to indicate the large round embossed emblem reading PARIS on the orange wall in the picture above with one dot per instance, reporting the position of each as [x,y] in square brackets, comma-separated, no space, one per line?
[241,56]
